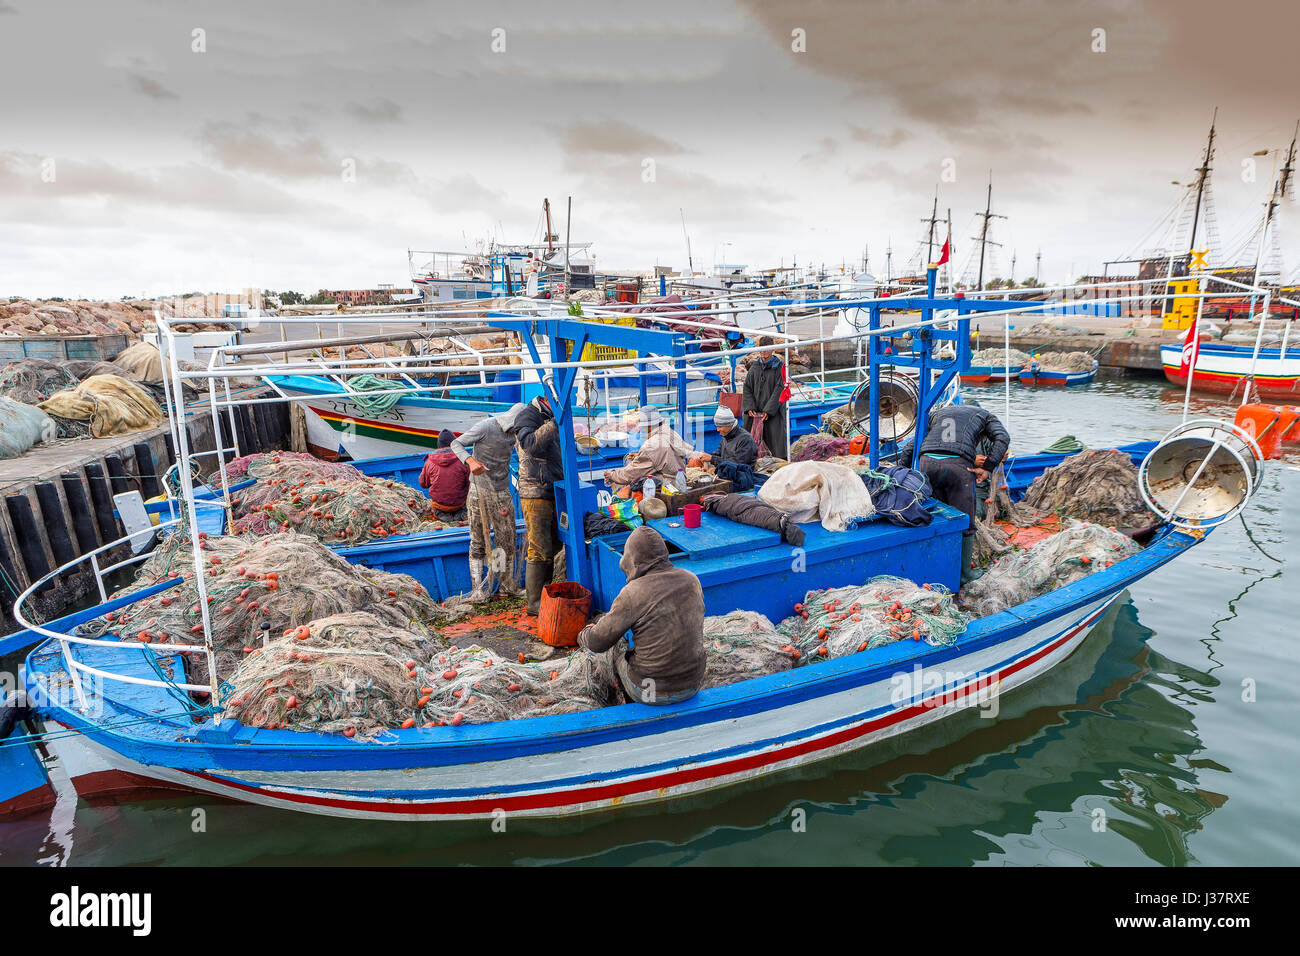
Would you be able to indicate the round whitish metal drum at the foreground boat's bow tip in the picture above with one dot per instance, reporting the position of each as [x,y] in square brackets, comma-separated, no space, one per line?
[1202,473]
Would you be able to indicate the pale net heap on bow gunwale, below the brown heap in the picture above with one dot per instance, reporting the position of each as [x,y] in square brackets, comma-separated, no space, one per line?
[1052,564]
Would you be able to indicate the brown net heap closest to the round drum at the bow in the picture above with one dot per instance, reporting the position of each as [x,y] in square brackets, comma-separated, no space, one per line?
[1094,486]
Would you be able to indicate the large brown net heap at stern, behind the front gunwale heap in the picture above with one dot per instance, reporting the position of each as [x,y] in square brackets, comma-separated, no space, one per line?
[258,589]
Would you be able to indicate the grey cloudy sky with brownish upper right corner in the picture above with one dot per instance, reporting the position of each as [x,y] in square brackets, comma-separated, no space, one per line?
[154,146]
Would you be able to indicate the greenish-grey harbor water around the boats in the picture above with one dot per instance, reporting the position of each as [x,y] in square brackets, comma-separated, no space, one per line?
[1167,739]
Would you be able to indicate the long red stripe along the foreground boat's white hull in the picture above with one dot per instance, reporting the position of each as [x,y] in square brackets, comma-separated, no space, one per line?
[536,802]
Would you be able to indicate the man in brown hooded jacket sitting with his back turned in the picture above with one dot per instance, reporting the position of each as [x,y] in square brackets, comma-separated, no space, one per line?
[665,609]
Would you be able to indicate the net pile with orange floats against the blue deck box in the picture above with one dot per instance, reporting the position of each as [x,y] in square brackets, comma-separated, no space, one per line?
[835,622]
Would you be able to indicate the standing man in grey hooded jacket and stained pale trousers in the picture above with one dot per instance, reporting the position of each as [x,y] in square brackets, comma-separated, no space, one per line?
[489,503]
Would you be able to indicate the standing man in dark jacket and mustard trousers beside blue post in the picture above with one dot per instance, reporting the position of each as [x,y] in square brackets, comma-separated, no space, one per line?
[540,468]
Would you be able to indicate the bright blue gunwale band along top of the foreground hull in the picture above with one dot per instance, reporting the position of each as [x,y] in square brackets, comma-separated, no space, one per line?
[237,747]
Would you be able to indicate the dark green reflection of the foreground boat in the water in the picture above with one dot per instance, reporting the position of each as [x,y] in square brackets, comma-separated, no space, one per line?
[1098,763]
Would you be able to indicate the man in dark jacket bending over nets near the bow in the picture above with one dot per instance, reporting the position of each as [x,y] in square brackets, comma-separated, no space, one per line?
[951,460]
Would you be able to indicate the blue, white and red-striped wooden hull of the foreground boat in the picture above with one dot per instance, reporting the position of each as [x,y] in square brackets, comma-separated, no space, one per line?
[577,764]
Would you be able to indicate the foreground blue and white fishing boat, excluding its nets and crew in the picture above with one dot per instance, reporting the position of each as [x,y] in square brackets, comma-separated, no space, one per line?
[120,717]
